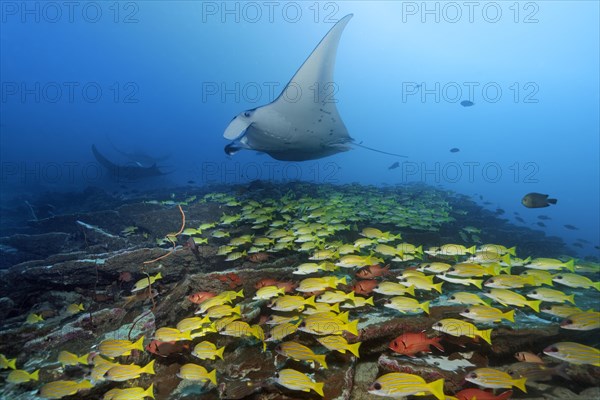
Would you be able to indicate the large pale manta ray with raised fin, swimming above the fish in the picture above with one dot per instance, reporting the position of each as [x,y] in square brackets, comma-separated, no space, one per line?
[298,127]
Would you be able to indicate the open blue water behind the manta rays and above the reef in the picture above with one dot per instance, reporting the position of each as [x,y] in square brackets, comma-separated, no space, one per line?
[167,77]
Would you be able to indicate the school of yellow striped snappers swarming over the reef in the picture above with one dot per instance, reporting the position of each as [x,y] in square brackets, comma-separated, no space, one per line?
[312,226]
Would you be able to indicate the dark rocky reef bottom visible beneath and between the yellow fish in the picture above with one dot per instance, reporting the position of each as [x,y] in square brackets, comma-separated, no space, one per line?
[90,261]
